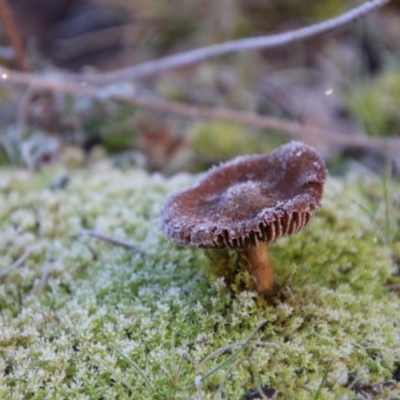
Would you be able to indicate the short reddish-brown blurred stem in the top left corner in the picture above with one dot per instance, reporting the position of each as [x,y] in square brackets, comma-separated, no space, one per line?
[14,35]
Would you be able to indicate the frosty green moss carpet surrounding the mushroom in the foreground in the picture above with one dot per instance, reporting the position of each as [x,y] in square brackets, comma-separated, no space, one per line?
[85,319]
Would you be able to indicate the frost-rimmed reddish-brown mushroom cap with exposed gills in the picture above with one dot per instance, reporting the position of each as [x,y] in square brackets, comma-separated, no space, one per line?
[248,200]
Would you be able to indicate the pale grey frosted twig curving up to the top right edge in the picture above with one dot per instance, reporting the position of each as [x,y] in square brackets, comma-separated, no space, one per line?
[191,57]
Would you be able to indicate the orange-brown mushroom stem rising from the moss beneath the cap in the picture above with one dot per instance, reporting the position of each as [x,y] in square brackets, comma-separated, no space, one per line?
[260,267]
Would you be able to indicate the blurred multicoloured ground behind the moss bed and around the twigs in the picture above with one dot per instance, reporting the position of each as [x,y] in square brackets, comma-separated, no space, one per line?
[346,82]
